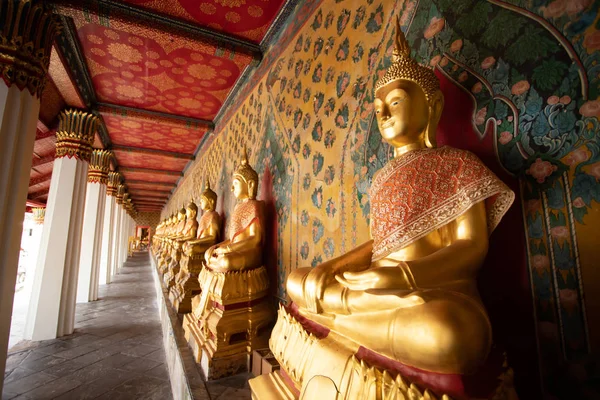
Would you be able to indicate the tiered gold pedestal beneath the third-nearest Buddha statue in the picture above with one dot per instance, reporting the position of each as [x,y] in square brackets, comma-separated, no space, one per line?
[186,285]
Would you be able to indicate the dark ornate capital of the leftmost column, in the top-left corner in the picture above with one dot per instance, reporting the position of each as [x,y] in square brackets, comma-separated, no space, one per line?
[28,30]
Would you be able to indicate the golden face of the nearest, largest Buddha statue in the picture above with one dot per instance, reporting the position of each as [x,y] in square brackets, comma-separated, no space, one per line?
[402,112]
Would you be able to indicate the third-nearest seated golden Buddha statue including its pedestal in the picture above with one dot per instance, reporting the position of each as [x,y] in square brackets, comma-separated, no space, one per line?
[186,283]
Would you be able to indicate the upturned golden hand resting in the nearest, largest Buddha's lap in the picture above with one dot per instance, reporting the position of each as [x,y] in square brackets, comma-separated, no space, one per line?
[376,278]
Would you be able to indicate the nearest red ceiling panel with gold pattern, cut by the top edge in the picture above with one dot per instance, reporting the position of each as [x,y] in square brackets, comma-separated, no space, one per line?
[249,19]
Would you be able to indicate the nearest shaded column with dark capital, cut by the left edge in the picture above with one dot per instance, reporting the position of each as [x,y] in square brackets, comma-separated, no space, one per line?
[19,110]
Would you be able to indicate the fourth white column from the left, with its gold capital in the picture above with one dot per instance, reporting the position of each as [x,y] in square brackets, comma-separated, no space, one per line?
[114,179]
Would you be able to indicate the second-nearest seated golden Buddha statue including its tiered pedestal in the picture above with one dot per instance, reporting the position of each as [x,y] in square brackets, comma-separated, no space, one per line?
[232,315]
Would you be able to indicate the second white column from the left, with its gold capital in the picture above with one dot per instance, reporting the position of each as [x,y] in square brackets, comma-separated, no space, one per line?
[52,307]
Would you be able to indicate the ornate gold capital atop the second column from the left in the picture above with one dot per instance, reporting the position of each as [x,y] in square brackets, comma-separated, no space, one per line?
[75,134]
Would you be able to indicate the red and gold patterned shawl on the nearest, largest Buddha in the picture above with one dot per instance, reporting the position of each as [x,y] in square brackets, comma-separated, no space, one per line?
[424,190]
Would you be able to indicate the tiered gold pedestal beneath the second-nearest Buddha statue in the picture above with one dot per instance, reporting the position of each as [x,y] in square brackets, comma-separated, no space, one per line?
[230,319]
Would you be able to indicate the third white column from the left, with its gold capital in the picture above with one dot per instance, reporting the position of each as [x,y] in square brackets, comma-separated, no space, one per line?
[93,223]
